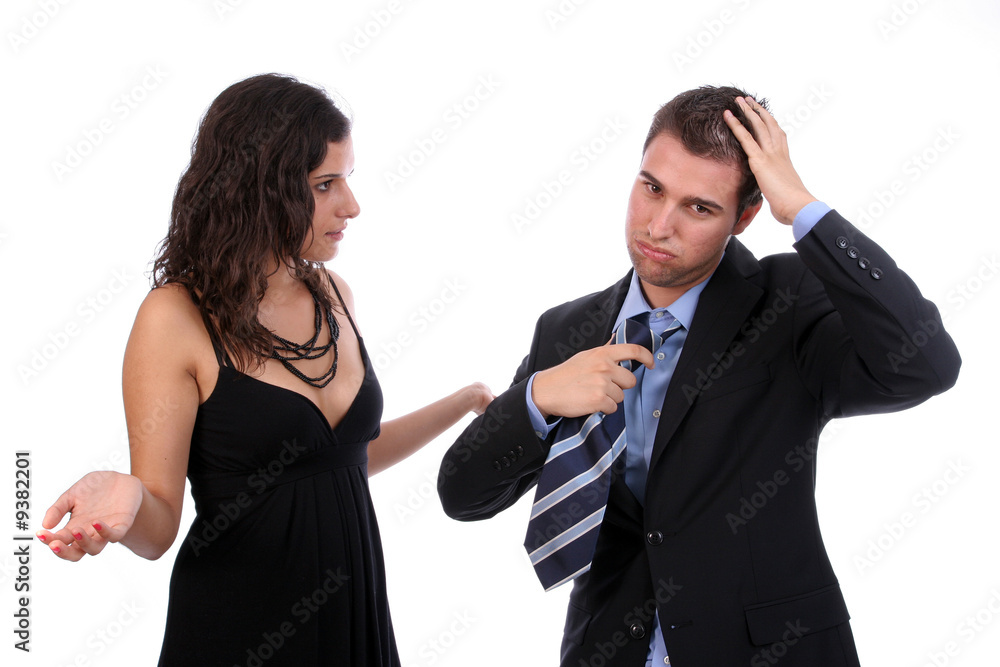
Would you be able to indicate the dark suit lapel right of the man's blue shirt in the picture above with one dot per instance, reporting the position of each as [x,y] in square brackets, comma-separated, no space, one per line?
[722,309]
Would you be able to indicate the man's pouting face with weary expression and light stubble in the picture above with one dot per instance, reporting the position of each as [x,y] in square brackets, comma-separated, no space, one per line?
[681,213]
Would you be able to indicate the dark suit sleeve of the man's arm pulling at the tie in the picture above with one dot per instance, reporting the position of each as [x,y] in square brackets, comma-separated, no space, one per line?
[498,457]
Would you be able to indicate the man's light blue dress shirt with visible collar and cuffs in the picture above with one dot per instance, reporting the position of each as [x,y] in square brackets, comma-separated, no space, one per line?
[643,402]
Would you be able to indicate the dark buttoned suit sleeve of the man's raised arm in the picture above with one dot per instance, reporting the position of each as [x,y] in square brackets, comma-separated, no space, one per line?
[883,346]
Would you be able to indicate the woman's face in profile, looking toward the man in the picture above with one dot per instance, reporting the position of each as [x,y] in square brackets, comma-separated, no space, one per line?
[335,202]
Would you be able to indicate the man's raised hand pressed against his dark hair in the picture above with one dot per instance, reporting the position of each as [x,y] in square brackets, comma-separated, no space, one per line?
[768,155]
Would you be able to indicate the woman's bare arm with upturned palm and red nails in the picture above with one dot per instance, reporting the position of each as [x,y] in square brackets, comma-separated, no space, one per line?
[141,510]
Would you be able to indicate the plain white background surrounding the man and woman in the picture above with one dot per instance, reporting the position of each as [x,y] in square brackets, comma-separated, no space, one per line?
[862,88]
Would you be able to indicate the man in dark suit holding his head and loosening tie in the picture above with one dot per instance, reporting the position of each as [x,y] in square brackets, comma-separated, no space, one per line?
[709,551]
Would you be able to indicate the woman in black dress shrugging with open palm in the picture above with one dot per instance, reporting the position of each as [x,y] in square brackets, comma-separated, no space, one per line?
[283,562]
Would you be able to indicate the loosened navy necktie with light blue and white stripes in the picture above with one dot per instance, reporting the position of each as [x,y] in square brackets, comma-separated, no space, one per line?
[572,492]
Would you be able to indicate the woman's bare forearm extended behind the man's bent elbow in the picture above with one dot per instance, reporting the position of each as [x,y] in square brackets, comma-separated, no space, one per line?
[404,435]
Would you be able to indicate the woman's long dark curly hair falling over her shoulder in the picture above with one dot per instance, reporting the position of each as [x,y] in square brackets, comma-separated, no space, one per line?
[244,206]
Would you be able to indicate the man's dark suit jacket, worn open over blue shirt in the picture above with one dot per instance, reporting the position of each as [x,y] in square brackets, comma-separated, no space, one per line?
[727,546]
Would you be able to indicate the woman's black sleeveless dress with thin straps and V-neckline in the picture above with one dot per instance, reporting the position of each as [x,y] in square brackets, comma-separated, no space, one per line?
[283,563]
